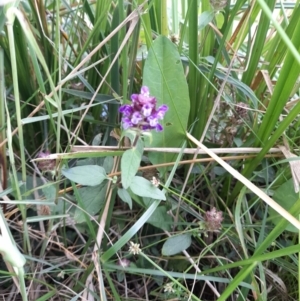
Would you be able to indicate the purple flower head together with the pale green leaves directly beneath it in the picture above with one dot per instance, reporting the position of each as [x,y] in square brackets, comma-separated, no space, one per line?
[140,116]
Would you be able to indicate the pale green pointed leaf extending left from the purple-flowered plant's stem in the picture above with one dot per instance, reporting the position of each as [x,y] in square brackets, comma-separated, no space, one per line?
[89,175]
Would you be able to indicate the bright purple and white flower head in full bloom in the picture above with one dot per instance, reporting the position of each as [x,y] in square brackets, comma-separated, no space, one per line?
[142,113]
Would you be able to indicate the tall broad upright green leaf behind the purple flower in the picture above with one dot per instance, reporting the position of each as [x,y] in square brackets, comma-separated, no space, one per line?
[164,75]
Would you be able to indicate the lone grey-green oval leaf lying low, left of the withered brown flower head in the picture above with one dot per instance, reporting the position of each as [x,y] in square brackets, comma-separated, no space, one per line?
[176,244]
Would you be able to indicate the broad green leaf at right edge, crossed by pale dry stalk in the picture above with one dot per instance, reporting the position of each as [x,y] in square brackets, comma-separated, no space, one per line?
[286,197]
